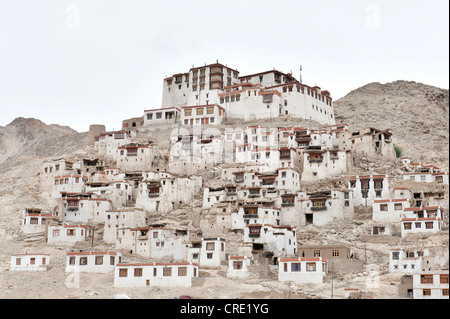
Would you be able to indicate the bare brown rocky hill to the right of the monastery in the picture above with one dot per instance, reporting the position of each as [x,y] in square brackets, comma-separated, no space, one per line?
[416,113]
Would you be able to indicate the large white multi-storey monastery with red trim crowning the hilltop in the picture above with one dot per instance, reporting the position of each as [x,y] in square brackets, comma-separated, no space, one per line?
[211,93]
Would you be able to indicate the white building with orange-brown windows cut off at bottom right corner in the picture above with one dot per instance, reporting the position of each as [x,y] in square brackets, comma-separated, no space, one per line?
[431,285]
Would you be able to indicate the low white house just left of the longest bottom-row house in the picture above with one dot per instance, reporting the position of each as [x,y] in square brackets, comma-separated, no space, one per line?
[92,261]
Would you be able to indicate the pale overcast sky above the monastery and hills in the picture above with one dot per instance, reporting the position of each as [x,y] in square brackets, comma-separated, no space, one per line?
[83,62]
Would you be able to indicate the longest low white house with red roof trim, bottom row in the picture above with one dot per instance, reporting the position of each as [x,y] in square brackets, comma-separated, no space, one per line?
[155,274]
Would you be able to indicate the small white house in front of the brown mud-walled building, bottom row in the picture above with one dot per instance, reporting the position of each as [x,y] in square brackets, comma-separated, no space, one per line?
[303,270]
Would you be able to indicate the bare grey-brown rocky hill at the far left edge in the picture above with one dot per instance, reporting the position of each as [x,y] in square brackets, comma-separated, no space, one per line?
[26,140]
